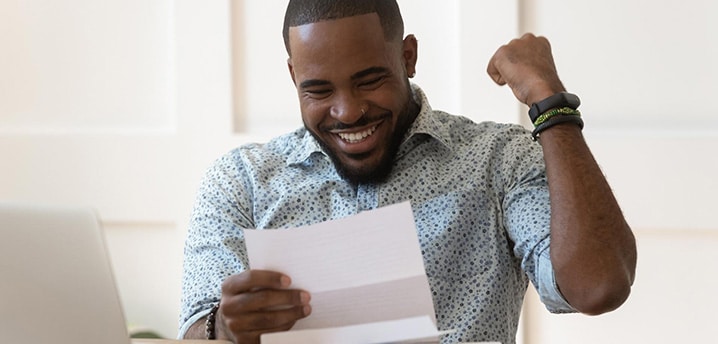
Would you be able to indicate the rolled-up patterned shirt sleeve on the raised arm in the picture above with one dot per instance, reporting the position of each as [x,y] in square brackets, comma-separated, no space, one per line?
[527,214]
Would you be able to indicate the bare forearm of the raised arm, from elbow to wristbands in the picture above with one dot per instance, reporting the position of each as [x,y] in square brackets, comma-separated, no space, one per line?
[593,250]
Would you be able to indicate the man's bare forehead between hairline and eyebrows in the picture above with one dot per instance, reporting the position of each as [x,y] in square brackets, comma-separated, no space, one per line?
[347,41]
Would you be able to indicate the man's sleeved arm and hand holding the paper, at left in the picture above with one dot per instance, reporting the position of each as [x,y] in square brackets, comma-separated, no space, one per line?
[216,267]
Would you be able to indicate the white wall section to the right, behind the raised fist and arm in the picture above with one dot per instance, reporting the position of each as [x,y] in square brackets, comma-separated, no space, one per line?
[644,71]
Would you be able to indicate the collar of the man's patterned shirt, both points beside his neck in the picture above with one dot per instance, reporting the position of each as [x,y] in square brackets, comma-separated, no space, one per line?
[424,124]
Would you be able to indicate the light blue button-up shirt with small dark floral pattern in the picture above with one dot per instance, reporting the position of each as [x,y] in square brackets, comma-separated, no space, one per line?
[478,192]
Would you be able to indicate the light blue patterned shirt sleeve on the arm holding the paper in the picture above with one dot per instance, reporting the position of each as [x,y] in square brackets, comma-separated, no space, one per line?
[214,246]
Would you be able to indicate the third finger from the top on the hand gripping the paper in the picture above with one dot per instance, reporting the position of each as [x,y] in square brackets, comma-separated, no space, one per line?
[266,320]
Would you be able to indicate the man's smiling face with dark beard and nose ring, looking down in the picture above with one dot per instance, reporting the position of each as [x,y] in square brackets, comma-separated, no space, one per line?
[353,91]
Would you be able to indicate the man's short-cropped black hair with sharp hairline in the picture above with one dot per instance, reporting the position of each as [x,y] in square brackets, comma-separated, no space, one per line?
[300,12]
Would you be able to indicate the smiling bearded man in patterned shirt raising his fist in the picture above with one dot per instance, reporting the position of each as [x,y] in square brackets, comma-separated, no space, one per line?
[479,192]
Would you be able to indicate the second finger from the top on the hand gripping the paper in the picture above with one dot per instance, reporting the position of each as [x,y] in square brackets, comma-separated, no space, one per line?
[265,299]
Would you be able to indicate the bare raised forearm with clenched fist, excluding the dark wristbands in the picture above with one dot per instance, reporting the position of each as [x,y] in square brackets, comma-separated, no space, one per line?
[593,250]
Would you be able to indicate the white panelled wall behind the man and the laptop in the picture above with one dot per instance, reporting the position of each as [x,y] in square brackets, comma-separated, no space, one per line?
[122,104]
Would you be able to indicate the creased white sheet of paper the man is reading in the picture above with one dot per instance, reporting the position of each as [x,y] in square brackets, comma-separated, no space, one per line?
[362,269]
